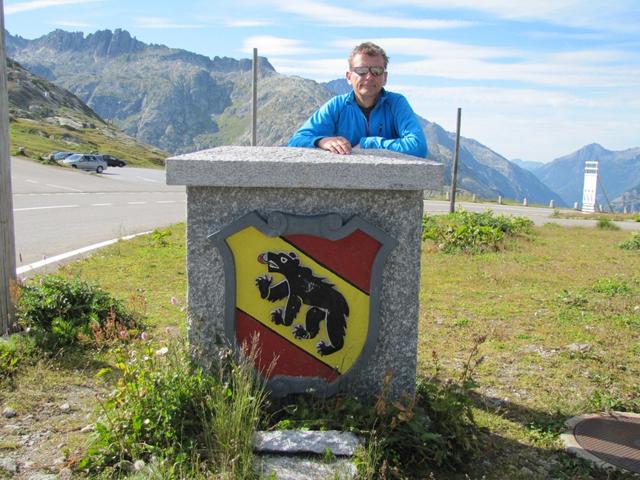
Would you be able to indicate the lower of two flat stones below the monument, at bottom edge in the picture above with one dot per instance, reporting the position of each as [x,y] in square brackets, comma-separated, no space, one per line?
[285,467]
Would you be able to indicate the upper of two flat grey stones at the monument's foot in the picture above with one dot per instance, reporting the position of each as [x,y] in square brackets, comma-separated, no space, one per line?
[299,441]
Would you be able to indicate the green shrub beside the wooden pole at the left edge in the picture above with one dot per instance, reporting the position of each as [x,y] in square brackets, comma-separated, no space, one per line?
[59,312]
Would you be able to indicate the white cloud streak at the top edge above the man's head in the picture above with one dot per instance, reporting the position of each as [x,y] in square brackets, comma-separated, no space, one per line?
[326,14]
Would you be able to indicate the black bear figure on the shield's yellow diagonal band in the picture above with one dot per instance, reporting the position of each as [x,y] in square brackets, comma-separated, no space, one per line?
[300,286]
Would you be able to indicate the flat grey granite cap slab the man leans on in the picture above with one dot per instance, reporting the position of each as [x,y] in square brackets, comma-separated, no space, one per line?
[284,167]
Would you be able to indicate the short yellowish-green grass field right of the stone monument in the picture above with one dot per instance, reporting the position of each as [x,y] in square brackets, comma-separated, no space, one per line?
[561,322]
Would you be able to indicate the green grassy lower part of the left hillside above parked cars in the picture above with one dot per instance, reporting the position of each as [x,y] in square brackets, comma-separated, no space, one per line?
[39,139]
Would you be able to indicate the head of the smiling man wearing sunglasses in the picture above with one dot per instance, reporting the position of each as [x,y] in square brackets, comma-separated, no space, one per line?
[367,72]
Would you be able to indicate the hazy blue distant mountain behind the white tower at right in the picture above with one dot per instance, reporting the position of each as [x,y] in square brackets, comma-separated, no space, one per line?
[618,171]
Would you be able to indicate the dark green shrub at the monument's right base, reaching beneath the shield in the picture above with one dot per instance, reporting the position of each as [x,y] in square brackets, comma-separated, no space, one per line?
[434,428]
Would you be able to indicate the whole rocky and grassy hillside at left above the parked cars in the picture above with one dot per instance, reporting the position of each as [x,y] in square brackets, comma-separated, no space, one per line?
[46,118]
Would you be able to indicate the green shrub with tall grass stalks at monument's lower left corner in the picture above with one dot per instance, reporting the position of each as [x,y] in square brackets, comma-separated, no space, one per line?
[166,408]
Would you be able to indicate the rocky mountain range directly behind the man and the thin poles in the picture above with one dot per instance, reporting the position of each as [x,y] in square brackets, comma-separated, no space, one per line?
[181,101]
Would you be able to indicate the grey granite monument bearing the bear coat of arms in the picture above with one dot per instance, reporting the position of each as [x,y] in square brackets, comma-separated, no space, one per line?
[317,254]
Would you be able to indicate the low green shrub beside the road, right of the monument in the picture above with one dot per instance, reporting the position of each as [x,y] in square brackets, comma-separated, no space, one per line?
[468,232]
